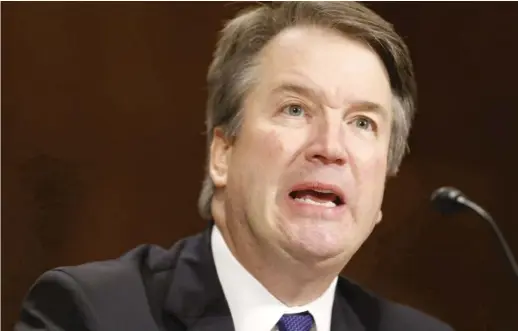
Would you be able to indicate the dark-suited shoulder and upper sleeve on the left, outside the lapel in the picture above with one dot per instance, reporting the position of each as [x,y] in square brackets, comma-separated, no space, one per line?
[91,295]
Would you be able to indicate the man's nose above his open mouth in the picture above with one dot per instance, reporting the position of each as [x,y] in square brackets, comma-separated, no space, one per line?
[327,145]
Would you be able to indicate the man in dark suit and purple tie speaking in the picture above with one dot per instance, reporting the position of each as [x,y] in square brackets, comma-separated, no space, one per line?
[309,109]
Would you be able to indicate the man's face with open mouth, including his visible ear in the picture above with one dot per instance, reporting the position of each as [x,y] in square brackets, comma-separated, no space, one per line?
[306,174]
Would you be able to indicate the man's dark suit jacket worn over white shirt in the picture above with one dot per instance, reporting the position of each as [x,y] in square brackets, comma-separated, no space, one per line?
[152,289]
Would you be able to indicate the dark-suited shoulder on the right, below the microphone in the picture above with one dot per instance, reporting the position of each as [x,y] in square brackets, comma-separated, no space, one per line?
[385,314]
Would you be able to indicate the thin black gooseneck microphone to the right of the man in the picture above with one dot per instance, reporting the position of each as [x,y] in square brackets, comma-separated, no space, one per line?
[449,200]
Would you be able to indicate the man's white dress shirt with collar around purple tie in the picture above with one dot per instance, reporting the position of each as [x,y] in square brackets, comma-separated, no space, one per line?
[253,308]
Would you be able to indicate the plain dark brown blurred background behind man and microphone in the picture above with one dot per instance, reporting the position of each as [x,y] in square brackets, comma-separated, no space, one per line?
[103,146]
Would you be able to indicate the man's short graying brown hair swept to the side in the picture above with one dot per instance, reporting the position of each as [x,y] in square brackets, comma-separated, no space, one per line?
[242,38]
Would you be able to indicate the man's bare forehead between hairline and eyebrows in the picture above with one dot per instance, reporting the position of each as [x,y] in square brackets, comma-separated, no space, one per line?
[341,68]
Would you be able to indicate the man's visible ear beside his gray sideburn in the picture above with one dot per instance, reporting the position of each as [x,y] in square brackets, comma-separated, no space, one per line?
[220,150]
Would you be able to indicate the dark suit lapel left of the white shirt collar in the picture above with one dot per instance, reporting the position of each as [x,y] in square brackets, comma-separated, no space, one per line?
[195,297]
